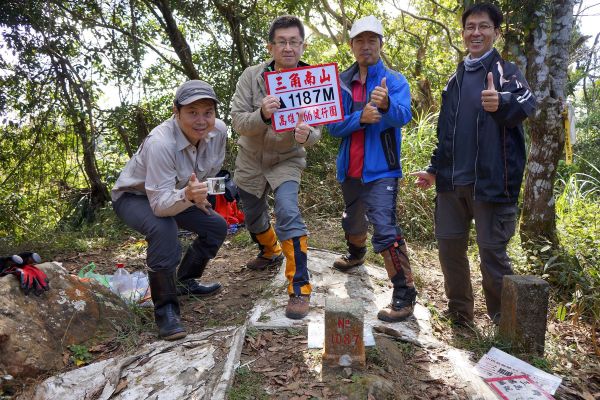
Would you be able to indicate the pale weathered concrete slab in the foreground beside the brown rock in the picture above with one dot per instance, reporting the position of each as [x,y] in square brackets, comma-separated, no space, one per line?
[199,366]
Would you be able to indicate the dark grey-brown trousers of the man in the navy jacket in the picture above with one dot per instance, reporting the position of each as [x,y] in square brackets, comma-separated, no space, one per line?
[494,225]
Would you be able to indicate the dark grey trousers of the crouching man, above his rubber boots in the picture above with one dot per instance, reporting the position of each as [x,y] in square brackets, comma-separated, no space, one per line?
[164,249]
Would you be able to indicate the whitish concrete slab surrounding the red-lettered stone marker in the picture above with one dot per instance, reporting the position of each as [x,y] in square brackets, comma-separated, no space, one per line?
[367,284]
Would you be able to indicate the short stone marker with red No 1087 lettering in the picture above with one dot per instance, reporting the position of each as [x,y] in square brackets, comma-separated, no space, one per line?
[344,344]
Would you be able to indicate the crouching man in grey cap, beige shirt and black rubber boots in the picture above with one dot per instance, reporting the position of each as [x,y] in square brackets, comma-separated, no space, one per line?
[161,188]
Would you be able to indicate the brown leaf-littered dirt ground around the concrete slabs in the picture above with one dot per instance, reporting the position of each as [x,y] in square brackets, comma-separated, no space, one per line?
[278,365]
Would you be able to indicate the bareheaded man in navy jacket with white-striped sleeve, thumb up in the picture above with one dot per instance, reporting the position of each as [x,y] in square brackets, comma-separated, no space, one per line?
[478,164]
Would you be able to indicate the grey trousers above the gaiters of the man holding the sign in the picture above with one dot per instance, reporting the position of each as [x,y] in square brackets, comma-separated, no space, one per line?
[288,220]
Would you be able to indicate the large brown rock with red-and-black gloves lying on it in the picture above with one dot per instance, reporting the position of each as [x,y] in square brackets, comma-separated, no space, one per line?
[35,331]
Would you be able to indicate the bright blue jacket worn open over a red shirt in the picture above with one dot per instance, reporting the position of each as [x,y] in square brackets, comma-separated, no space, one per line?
[383,139]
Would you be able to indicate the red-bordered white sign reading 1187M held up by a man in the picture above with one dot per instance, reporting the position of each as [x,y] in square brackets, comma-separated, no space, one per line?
[310,94]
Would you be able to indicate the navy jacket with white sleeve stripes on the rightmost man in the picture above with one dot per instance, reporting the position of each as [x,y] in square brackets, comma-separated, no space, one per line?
[500,158]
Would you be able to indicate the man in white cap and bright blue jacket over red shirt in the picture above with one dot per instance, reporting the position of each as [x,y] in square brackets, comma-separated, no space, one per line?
[376,104]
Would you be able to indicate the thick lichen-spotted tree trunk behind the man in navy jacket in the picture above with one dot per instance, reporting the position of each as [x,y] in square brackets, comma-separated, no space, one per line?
[547,62]
